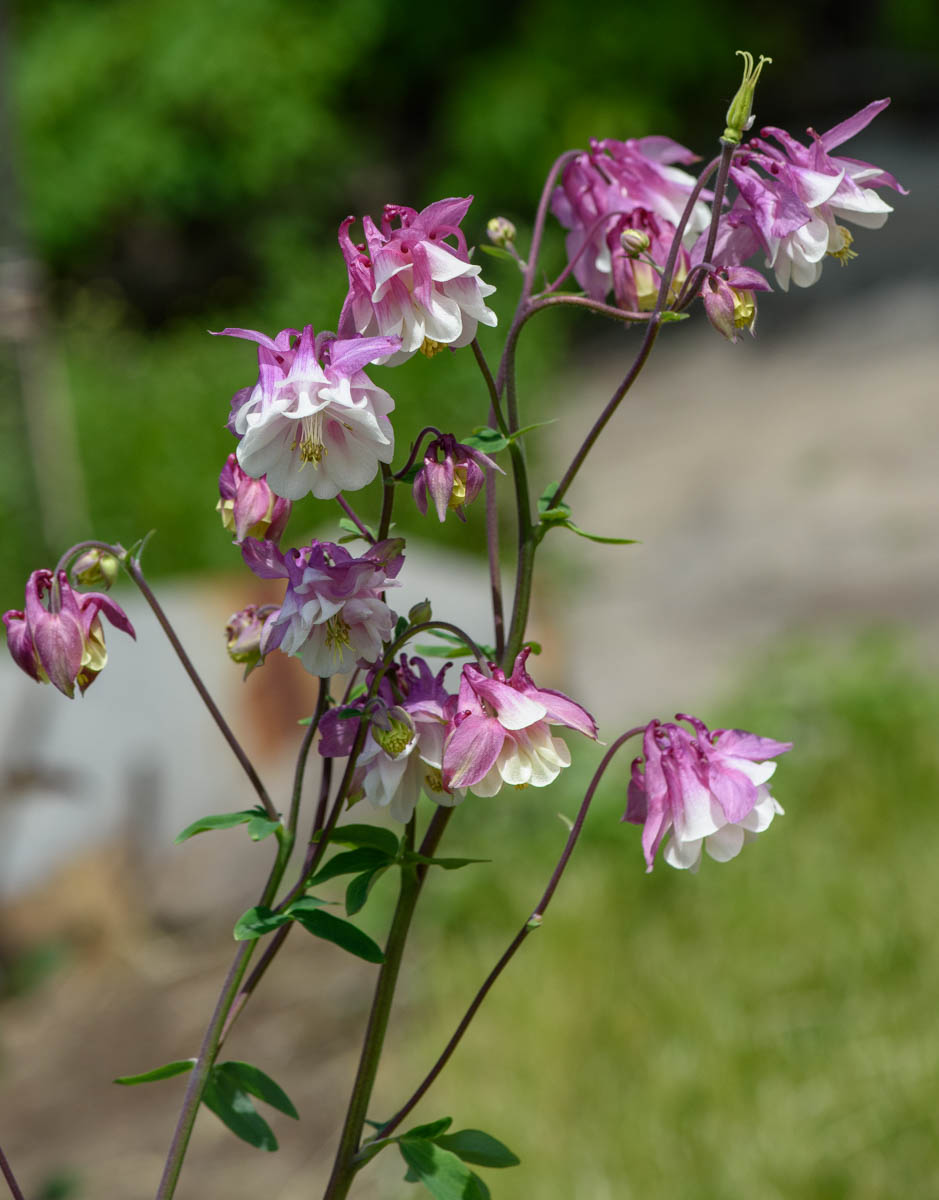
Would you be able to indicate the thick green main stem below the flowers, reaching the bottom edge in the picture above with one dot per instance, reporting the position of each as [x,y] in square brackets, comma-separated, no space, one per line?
[412,880]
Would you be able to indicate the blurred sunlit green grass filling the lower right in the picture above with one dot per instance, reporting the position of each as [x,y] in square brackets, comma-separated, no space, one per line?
[764,1030]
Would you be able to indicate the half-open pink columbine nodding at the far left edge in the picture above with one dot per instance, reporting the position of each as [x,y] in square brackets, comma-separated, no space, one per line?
[64,643]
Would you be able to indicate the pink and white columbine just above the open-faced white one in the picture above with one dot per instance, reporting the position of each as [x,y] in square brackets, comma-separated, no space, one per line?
[408,280]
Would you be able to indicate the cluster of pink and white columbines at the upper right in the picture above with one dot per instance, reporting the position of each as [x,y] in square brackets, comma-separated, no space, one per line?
[623,201]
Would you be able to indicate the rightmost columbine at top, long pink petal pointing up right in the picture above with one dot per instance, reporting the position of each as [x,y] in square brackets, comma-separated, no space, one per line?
[797,207]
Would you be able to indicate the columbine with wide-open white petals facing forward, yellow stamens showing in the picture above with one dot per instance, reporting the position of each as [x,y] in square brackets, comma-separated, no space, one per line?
[314,423]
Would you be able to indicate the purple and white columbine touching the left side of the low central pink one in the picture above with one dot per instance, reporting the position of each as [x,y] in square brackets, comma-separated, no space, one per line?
[404,748]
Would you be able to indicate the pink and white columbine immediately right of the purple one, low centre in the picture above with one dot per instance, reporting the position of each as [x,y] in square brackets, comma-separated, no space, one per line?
[501,731]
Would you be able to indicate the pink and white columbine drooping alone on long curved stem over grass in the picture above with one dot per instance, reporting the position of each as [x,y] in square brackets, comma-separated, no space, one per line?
[707,789]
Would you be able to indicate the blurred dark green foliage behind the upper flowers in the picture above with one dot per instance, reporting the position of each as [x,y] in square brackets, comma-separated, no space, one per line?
[184,167]
